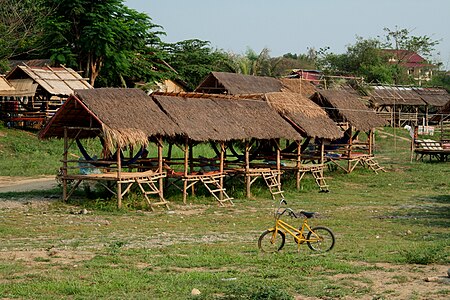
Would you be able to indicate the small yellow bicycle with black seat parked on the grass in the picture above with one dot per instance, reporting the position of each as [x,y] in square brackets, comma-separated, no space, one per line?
[320,238]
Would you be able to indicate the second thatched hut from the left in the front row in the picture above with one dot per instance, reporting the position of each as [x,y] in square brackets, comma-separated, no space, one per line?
[214,118]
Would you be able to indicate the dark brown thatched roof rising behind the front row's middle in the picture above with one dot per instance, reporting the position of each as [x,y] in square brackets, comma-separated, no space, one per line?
[233,84]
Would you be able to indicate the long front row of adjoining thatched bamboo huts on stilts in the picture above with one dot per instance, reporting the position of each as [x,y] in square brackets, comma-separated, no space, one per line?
[256,127]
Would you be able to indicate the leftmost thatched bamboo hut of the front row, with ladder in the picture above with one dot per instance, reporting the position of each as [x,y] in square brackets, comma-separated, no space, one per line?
[122,118]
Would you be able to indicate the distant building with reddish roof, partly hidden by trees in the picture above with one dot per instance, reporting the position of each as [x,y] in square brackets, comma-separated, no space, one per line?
[415,65]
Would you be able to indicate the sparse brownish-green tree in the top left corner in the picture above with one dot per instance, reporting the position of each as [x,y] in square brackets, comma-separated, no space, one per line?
[20,29]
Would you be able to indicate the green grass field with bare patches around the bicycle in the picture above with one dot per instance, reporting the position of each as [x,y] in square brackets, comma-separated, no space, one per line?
[383,222]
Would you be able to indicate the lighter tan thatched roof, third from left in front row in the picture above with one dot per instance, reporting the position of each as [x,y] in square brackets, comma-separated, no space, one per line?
[308,117]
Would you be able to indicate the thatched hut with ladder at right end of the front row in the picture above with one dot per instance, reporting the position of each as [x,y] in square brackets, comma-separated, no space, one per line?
[353,117]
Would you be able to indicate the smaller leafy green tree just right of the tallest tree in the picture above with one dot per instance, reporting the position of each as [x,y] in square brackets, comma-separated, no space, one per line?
[193,60]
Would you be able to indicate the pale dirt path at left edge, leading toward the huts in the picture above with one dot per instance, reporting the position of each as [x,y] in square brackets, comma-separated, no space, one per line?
[25,184]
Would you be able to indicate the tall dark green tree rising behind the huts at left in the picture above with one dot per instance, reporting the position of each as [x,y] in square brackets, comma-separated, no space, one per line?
[91,34]
